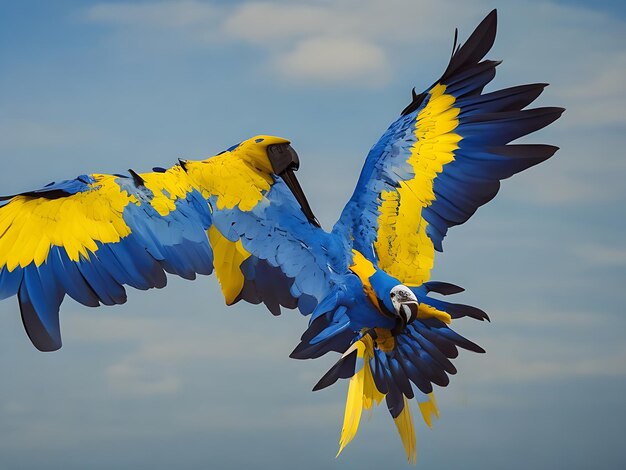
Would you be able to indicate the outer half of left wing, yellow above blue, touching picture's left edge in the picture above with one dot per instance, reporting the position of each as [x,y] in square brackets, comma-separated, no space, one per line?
[90,236]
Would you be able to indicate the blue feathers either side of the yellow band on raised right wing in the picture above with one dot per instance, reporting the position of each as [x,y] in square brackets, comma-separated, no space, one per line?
[486,123]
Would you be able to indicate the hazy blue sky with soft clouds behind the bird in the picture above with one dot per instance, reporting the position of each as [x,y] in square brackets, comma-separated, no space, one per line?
[173,378]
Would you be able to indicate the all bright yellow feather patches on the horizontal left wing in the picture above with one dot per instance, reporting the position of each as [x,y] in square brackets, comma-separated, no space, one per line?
[30,225]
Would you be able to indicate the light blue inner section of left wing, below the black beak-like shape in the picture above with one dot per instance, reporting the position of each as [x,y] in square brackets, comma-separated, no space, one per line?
[290,259]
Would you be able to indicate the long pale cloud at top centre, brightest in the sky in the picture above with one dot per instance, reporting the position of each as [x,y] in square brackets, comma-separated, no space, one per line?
[346,41]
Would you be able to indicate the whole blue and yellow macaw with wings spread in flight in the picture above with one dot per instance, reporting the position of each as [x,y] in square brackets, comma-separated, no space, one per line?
[365,284]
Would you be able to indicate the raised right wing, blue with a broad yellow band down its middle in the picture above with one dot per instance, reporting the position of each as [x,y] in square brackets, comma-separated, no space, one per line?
[442,159]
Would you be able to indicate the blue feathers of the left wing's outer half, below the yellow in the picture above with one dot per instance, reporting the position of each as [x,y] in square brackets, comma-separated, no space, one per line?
[176,242]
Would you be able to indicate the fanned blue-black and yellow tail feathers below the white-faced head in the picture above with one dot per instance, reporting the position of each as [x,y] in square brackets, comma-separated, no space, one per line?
[382,364]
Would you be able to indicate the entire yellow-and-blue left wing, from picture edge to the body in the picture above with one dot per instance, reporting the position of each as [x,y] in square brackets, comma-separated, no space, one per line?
[91,236]
